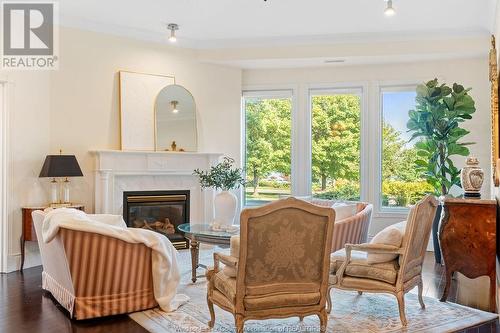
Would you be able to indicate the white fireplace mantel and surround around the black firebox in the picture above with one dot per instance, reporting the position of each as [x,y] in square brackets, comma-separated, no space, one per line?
[118,171]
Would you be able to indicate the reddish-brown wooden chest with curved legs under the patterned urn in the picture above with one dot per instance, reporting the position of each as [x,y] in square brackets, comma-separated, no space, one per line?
[468,241]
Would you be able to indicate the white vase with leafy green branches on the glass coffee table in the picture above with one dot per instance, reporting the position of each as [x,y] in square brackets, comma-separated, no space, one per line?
[222,177]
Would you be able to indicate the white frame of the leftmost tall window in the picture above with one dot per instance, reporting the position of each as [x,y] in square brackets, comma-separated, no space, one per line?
[274,91]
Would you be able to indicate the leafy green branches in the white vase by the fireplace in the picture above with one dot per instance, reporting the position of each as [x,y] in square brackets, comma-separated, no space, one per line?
[223,176]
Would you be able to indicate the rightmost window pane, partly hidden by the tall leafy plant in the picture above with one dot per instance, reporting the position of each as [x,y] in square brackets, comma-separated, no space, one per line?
[401,184]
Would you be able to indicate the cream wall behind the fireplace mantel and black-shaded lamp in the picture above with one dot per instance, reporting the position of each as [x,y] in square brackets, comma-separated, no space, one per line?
[76,109]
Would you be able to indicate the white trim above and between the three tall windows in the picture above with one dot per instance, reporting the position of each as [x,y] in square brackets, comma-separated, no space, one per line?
[301,144]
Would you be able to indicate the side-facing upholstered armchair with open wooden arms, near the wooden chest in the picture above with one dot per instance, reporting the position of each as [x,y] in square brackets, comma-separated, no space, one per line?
[355,271]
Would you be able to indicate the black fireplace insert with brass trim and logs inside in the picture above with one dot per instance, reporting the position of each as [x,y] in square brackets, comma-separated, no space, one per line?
[160,211]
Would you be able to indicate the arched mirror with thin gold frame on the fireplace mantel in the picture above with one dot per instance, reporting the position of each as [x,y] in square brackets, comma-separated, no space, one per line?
[175,120]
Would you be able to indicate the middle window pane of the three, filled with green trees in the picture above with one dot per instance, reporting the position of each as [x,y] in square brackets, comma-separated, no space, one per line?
[336,139]
